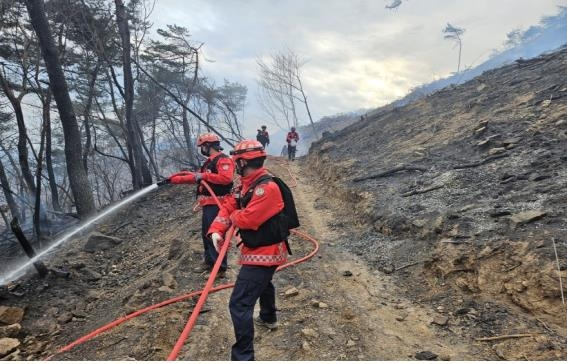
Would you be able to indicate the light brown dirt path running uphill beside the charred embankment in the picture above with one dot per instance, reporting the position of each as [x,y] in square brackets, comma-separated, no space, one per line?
[363,316]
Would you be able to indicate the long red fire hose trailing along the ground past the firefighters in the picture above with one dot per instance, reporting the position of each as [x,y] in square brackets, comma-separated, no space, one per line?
[203,294]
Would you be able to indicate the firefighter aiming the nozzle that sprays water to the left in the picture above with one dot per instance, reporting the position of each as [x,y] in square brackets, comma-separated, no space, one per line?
[217,171]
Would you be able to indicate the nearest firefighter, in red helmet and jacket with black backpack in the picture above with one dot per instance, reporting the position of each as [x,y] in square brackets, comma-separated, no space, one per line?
[255,213]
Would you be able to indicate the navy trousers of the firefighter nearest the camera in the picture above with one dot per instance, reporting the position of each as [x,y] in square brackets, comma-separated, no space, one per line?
[252,283]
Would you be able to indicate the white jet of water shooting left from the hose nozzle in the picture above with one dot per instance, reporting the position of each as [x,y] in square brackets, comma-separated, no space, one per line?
[16,273]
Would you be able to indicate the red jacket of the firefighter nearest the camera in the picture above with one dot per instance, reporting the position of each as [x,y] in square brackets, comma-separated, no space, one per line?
[266,202]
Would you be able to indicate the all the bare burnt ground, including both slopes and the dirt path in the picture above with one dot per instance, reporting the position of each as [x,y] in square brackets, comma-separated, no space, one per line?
[421,260]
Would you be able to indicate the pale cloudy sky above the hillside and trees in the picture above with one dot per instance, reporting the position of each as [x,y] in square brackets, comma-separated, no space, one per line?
[358,53]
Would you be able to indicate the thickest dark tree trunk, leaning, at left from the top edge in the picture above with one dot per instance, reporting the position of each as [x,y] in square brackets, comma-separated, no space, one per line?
[79,182]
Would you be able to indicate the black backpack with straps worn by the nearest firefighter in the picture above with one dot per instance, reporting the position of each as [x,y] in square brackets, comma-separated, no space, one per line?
[288,214]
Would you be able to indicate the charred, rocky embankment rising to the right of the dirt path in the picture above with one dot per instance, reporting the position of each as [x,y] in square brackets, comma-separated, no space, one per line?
[460,196]
